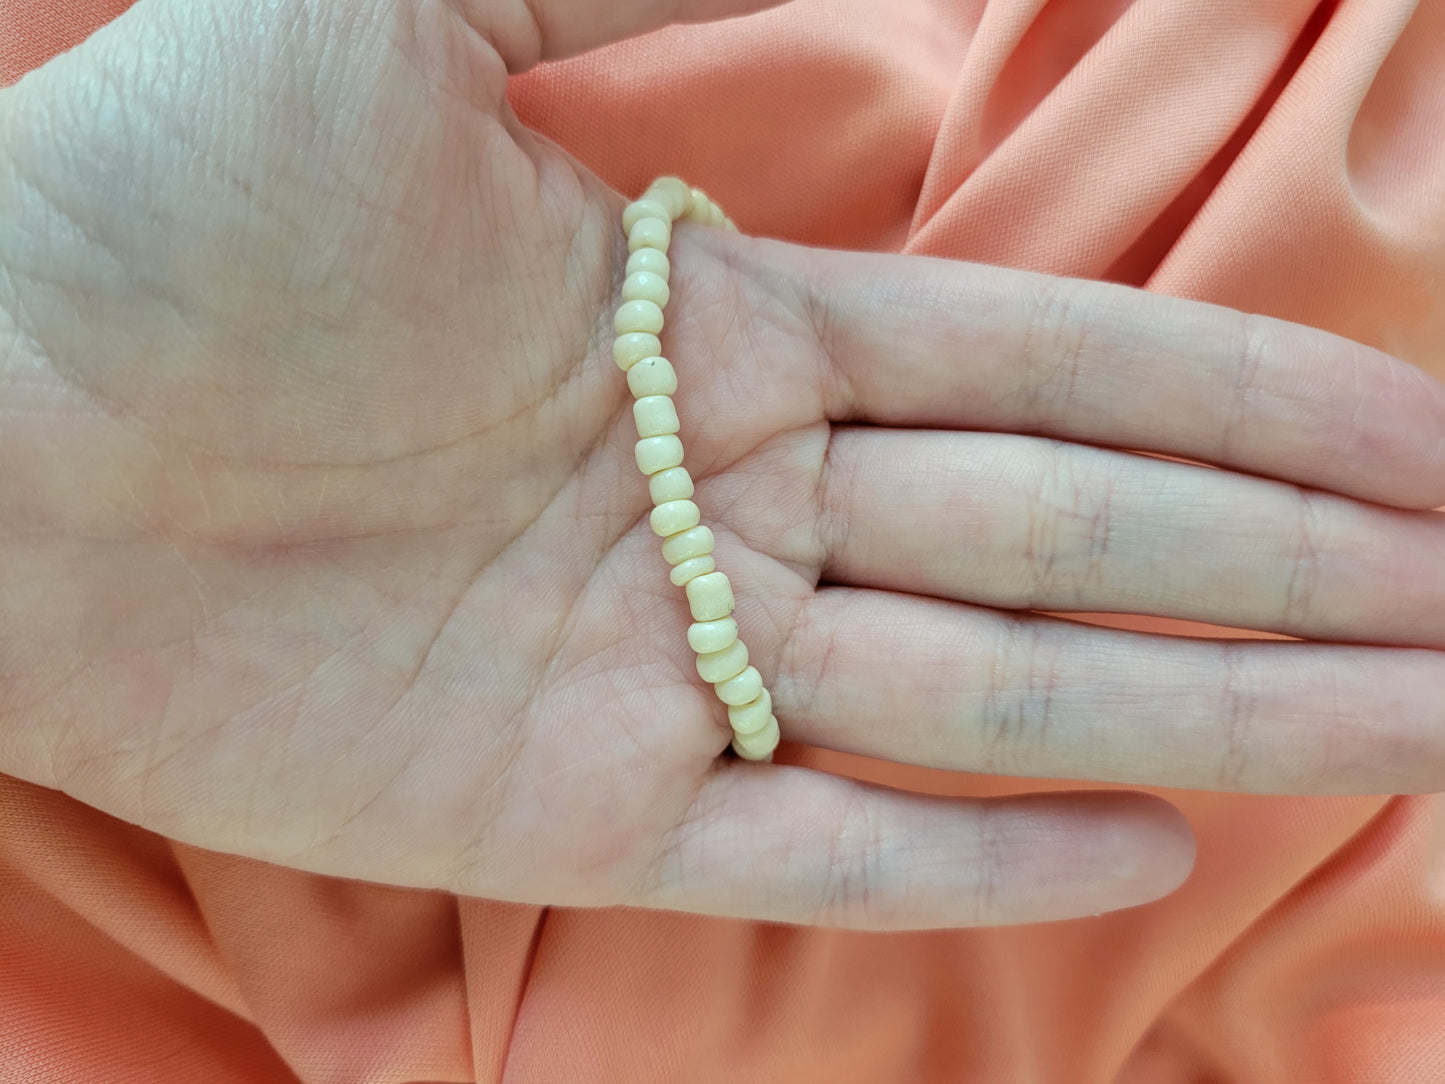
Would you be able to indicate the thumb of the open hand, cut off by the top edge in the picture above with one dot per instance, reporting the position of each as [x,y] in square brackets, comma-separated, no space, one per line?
[525,33]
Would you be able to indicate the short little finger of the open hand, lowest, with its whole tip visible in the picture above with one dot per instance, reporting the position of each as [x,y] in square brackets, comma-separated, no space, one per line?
[788,845]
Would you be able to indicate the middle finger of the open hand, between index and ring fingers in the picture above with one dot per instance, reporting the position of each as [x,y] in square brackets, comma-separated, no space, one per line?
[1028,524]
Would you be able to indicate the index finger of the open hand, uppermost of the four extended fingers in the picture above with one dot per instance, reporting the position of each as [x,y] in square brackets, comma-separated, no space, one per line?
[936,343]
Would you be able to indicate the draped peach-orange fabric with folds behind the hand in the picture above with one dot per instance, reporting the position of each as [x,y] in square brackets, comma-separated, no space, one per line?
[1285,157]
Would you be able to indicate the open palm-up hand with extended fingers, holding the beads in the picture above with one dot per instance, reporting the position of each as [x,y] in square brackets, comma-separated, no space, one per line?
[324,543]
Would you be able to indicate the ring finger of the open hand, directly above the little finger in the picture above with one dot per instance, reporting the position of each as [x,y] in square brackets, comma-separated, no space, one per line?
[963,689]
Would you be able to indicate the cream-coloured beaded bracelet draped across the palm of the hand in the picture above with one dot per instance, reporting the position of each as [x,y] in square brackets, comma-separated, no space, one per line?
[687,546]
